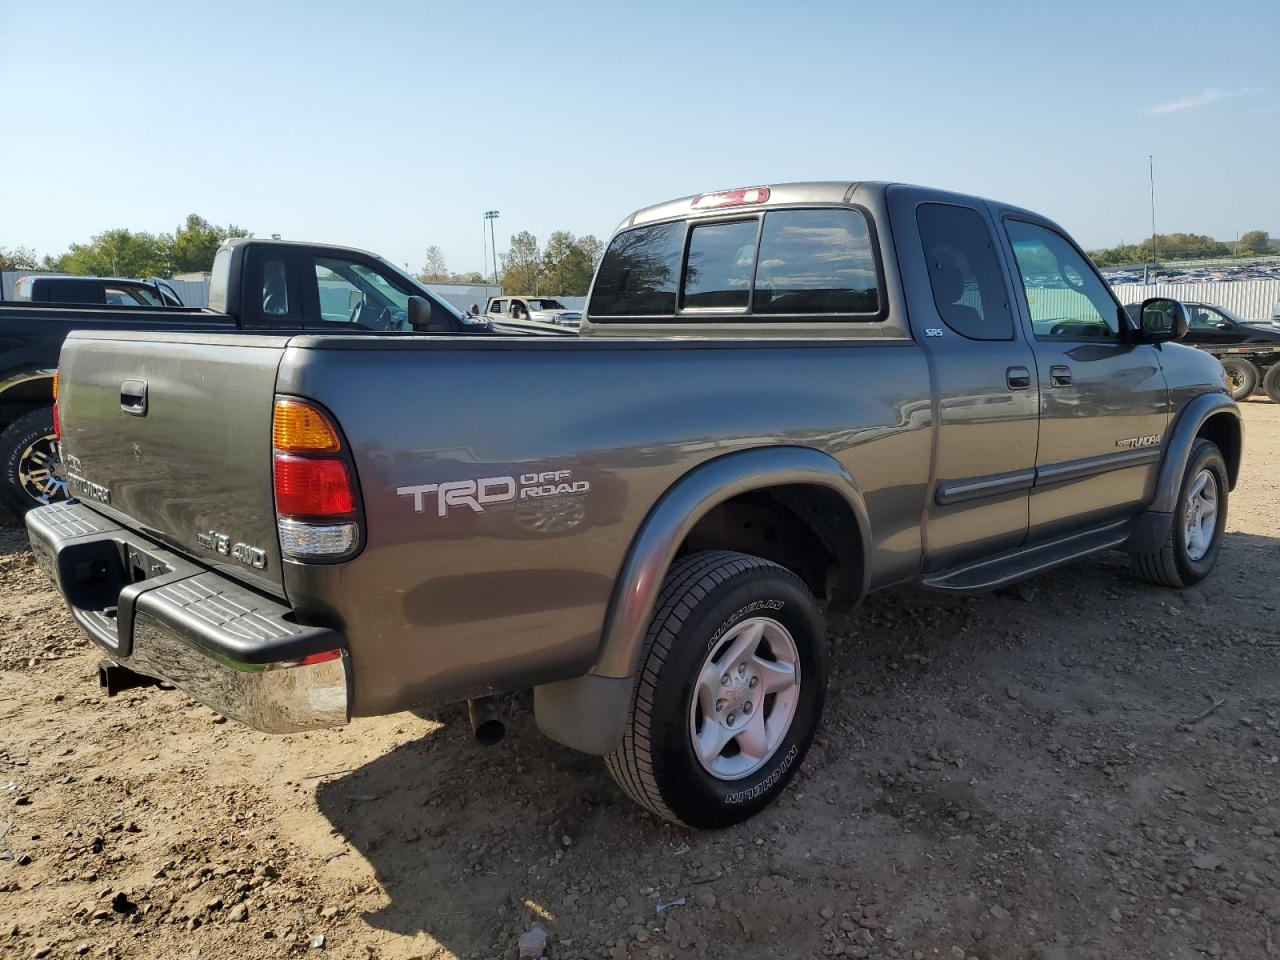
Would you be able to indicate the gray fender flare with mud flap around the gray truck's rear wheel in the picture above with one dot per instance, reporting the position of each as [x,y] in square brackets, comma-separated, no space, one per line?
[589,714]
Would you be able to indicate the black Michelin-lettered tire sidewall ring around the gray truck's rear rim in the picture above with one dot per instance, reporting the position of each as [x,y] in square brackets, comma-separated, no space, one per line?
[706,801]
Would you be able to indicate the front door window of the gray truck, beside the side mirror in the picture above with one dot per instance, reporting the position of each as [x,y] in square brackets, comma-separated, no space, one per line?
[1066,296]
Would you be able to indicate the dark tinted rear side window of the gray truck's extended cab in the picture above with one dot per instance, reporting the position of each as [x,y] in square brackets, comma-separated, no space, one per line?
[968,286]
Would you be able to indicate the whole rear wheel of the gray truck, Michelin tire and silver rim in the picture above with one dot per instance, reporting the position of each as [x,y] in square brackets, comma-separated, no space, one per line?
[730,692]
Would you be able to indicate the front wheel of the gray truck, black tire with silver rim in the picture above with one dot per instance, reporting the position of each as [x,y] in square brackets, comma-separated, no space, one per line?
[1196,536]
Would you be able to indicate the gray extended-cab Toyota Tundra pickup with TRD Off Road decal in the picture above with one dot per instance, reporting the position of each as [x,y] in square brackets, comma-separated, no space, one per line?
[780,399]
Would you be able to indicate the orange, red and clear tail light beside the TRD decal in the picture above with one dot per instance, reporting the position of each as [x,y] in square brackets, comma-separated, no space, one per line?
[316,499]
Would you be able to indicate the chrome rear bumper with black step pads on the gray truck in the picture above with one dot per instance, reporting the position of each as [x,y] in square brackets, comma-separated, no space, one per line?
[166,618]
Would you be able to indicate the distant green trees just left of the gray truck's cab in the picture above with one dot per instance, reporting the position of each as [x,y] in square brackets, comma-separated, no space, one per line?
[565,267]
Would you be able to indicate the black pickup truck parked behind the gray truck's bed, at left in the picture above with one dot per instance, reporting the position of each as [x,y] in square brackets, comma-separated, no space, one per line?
[257,287]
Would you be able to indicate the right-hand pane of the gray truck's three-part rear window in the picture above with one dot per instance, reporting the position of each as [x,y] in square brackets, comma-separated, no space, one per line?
[816,262]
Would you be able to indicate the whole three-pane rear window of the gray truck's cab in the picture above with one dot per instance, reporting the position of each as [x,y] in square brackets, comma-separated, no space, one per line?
[784,264]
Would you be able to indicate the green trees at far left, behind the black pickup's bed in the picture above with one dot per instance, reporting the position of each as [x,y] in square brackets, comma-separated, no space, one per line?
[122,253]
